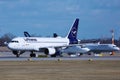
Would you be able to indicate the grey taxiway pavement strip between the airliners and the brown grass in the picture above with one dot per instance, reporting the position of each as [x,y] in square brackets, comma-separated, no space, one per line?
[8,56]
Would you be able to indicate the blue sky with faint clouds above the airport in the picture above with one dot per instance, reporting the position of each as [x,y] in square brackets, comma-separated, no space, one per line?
[45,17]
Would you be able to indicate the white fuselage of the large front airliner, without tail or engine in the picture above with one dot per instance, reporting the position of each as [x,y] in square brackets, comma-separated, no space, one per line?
[35,43]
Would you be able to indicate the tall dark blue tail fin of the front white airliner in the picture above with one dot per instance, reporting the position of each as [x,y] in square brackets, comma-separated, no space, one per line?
[72,35]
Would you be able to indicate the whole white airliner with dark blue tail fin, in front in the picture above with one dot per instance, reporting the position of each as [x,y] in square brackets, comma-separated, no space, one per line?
[50,46]
